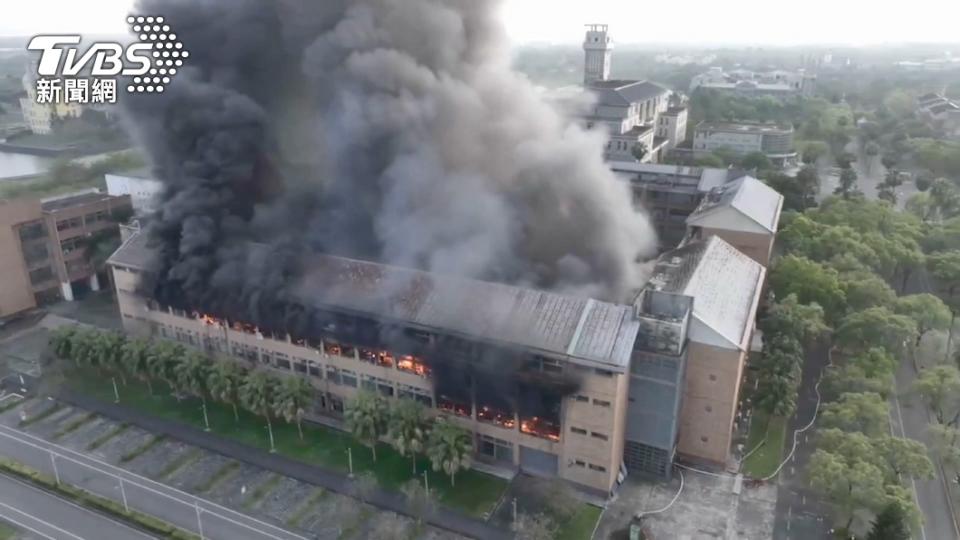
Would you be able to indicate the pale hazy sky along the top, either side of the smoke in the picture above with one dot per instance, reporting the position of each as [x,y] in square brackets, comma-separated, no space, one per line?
[783,22]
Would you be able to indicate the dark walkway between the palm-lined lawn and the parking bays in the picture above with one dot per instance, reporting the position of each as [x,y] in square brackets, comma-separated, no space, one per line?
[440,517]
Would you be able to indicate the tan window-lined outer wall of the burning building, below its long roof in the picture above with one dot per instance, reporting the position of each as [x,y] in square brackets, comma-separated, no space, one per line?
[590,448]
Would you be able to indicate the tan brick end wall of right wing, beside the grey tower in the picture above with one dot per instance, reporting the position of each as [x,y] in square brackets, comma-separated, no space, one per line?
[711,391]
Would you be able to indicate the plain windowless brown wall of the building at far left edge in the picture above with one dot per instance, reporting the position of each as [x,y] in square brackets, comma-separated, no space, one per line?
[16,292]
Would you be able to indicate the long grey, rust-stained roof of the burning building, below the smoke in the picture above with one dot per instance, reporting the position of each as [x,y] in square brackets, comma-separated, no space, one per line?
[591,331]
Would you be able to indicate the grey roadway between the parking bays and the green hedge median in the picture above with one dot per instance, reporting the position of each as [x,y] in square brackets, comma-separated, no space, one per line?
[167,503]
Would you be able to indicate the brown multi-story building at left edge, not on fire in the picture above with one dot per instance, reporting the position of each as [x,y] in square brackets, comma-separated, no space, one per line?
[44,246]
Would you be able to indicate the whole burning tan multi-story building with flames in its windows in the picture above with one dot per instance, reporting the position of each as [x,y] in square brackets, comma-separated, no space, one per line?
[553,385]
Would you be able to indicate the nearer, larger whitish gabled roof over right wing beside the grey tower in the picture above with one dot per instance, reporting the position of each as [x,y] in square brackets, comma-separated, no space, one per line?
[724,283]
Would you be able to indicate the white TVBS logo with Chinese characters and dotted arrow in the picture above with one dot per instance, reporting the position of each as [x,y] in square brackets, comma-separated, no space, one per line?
[69,75]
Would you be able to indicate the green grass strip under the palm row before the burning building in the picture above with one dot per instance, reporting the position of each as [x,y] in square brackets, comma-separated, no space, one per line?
[475,493]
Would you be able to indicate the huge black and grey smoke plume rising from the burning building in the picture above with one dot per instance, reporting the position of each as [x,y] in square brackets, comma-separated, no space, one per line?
[385,130]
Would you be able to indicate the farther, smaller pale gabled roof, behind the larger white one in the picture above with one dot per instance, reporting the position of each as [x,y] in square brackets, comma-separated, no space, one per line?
[748,196]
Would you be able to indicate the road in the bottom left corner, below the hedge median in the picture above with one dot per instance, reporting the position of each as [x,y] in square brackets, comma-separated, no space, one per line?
[47,516]
